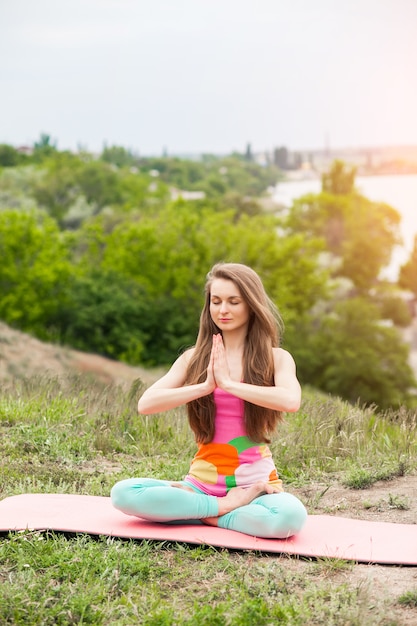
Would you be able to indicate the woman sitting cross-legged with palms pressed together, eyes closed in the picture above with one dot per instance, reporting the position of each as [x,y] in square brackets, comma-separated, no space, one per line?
[236,383]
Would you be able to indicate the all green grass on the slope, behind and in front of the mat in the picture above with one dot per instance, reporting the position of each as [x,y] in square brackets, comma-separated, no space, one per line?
[73,436]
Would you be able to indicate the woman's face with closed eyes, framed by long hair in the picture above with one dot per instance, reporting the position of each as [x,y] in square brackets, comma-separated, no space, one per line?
[228,310]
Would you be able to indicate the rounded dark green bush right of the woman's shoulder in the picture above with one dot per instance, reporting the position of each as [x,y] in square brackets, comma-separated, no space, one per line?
[349,353]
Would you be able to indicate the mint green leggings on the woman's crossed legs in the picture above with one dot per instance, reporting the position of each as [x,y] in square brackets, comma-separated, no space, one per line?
[273,516]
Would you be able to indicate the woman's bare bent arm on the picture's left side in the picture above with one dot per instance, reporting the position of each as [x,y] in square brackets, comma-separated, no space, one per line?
[169,391]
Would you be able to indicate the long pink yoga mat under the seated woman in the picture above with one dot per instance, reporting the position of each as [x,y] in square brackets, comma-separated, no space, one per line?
[322,536]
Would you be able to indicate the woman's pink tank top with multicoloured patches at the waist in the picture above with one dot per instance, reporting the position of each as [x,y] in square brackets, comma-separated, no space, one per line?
[231,459]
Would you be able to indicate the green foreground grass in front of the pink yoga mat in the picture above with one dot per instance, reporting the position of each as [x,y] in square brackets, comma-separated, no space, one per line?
[53,579]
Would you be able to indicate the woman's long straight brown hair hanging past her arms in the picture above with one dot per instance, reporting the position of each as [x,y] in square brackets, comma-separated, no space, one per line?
[263,334]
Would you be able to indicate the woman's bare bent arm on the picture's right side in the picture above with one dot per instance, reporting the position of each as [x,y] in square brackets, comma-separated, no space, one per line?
[284,396]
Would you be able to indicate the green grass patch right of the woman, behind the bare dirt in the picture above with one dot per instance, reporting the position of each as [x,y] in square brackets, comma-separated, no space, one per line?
[330,436]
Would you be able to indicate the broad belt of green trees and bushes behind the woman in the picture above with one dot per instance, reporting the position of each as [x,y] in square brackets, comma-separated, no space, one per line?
[96,255]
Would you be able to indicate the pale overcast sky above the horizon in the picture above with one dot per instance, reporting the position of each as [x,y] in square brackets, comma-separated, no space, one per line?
[193,76]
